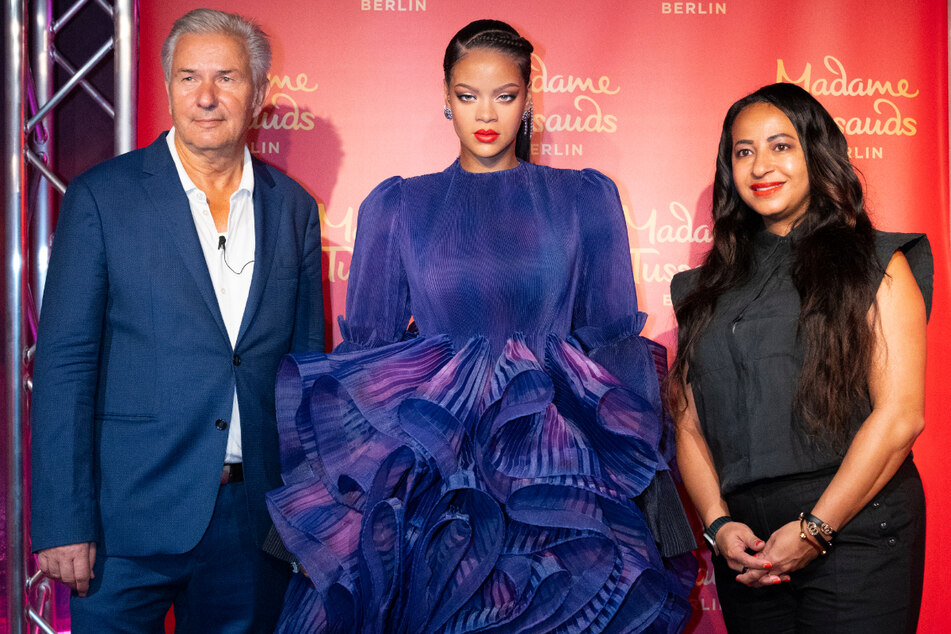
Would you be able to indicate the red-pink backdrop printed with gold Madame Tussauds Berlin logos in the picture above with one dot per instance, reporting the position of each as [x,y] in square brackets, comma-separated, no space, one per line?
[637,90]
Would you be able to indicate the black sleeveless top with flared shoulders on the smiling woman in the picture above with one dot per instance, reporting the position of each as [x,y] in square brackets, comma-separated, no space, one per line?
[746,365]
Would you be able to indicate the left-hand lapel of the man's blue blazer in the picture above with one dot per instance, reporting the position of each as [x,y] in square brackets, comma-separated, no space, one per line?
[165,191]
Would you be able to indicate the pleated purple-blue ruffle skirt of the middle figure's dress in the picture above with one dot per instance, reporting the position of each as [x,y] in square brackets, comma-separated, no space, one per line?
[433,491]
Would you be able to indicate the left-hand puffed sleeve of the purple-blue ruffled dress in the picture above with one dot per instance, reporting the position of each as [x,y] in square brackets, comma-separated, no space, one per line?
[378,309]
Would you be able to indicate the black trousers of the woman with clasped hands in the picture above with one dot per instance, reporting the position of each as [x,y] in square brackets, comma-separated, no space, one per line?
[870,581]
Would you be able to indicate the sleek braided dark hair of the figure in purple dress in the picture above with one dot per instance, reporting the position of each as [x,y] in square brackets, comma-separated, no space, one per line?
[498,36]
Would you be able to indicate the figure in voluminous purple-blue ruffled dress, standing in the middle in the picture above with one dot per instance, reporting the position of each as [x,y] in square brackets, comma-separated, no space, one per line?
[480,476]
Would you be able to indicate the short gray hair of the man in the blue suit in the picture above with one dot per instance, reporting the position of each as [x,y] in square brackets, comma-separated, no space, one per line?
[210,21]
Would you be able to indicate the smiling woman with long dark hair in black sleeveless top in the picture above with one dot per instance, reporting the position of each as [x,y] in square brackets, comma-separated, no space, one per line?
[801,374]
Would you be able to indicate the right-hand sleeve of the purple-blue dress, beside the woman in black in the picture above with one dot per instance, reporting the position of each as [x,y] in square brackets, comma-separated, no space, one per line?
[607,326]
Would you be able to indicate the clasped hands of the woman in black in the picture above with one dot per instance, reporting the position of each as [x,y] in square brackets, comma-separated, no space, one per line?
[760,563]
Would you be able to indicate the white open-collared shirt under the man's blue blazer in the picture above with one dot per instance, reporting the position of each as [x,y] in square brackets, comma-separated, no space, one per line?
[230,260]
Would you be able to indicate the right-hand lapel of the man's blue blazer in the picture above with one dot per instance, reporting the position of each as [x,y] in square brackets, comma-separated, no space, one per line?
[268,212]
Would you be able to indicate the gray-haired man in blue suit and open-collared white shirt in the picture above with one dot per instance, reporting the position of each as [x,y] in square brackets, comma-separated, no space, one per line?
[180,274]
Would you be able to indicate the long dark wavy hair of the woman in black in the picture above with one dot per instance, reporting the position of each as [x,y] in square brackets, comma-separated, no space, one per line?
[833,261]
